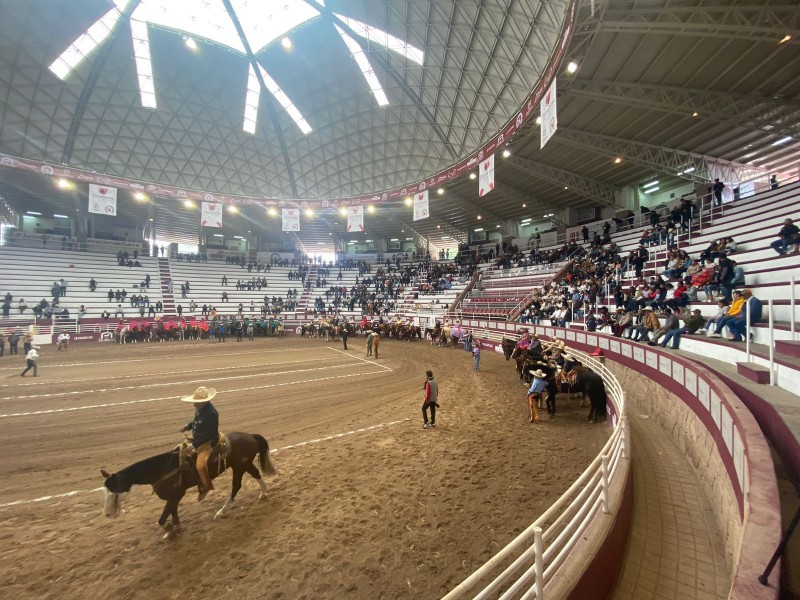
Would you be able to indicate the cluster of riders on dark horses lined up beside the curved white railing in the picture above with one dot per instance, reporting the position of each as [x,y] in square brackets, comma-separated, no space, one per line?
[562,371]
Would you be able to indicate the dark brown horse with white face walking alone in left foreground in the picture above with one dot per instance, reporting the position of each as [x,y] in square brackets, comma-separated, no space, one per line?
[171,476]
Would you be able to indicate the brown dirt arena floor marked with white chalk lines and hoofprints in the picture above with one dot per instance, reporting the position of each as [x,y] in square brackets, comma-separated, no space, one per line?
[366,503]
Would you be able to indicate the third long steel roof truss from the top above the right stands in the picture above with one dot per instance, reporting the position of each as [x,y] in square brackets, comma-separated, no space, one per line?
[680,163]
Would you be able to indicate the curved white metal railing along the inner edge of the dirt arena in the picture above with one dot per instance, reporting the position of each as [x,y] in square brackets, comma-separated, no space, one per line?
[534,556]
